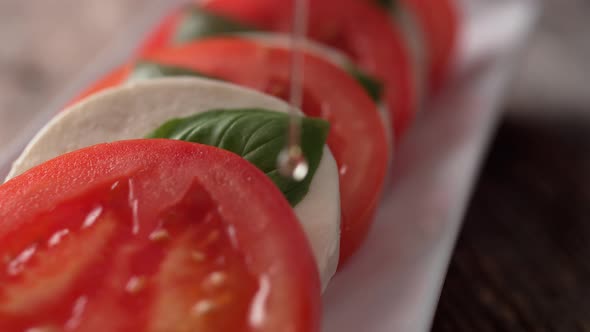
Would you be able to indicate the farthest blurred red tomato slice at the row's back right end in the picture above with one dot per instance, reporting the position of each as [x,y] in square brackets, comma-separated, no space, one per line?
[440,22]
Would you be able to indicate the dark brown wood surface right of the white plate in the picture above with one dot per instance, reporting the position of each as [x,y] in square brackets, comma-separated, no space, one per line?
[522,262]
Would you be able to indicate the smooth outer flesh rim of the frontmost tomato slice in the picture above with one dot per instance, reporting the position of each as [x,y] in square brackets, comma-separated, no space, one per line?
[265,225]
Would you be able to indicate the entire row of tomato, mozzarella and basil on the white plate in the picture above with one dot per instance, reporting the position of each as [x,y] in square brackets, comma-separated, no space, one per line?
[153,201]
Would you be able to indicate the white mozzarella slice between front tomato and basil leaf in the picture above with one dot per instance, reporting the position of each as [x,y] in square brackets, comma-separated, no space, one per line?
[134,110]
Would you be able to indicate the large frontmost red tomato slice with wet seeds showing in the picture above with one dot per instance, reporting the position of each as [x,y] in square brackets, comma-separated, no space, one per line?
[152,235]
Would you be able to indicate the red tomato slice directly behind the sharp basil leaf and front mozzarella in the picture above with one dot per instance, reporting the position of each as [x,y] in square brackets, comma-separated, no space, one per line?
[357,138]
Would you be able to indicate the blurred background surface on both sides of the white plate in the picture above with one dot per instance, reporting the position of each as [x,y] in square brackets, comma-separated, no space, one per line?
[522,260]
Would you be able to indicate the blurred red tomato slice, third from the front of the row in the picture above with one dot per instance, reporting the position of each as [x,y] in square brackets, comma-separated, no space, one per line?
[360,30]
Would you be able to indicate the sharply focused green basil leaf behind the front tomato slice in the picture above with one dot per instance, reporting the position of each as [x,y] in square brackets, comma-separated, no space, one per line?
[258,136]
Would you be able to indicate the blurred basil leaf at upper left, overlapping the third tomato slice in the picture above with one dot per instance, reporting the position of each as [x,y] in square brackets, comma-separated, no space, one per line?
[198,23]
